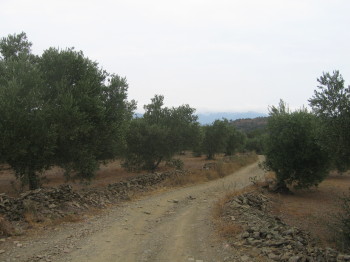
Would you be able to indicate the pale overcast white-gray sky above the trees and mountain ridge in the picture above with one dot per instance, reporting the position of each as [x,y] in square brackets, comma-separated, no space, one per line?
[214,55]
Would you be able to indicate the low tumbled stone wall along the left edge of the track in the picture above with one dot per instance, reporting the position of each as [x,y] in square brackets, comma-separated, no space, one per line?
[58,202]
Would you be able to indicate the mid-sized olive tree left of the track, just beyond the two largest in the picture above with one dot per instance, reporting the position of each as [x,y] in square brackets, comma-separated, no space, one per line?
[159,134]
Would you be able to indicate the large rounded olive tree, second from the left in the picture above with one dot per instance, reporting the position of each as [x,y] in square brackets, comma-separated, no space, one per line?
[93,105]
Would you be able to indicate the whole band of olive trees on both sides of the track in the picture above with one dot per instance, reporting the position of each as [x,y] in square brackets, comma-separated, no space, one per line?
[62,109]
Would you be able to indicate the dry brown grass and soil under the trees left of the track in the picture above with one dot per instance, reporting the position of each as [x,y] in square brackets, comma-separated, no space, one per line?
[112,172]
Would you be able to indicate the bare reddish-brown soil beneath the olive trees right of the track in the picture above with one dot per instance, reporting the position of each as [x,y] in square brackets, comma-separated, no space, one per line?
[314,210]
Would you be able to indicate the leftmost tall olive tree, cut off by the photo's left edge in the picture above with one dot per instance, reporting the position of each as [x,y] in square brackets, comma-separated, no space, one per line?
[27,132]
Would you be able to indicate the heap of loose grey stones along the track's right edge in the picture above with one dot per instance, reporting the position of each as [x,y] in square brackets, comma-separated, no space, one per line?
[269,237]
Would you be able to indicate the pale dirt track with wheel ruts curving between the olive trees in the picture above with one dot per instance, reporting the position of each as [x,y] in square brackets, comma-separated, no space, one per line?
[170,226]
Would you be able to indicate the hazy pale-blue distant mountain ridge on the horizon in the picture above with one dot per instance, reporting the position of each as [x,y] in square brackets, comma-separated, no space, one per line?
[208,118]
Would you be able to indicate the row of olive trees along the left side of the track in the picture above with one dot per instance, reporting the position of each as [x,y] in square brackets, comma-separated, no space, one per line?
[62,109]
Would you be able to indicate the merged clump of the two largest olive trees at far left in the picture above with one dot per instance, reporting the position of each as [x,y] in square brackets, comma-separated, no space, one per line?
[59,108]
